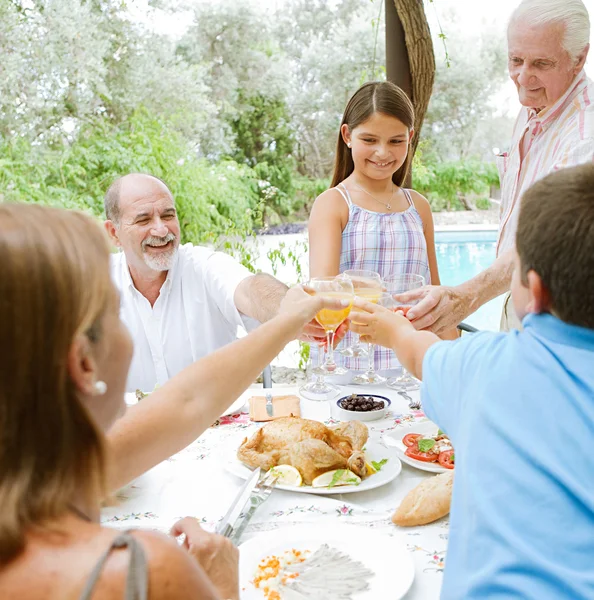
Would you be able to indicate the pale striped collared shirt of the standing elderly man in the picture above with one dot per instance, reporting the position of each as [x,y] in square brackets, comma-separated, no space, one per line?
[557,137]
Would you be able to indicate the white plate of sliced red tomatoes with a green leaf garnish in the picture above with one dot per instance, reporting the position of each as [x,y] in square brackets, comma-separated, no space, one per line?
[424,447]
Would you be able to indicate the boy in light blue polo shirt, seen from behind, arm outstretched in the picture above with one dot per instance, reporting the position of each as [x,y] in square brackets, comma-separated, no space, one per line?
[519,409]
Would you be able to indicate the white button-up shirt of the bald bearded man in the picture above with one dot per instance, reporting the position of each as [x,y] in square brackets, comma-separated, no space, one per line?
[194,314]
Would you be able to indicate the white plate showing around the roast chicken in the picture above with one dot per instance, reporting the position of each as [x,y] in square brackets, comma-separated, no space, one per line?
[374,451]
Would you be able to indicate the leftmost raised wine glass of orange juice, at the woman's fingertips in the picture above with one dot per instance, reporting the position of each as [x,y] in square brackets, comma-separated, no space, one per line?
[332,287]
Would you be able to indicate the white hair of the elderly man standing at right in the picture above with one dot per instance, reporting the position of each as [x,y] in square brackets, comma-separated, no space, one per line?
[571,13]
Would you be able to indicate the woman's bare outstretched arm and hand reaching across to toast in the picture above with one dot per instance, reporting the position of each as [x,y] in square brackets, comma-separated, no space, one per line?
[176,414]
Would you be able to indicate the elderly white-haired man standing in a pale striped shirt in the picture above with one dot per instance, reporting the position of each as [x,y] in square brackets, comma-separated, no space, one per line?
[548,42]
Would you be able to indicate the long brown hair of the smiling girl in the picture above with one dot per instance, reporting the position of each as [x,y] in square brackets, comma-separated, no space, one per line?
[373,97]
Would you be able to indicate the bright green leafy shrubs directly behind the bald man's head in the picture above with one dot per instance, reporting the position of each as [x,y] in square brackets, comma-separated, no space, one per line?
[211,199]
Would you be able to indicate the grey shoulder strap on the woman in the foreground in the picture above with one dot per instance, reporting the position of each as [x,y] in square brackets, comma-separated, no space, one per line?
[137,578]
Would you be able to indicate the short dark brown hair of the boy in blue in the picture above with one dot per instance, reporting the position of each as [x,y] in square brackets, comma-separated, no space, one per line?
[555,238]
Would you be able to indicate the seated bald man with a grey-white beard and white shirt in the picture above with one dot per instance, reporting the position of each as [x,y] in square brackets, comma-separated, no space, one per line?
[180,302]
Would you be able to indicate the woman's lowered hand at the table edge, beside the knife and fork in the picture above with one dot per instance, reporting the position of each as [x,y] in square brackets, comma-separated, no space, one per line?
[215,554]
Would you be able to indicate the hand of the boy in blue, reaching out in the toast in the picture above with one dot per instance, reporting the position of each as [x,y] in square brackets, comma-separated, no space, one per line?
[378,325]
